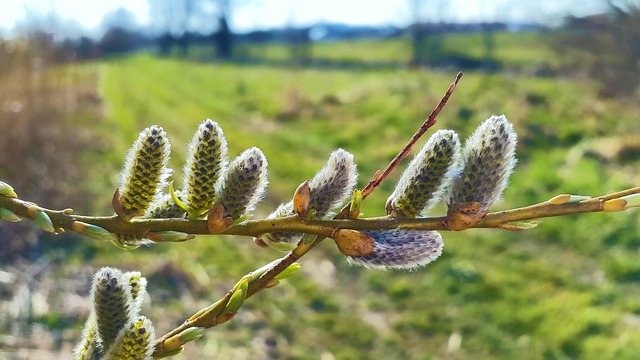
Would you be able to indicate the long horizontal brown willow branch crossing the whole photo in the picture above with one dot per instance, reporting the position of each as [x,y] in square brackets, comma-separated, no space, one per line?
[256,228]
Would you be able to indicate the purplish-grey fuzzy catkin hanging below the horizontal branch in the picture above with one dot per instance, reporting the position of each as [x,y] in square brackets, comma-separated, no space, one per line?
[401,249]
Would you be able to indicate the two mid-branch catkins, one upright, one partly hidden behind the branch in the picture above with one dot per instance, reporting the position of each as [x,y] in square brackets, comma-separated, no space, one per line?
[330,187]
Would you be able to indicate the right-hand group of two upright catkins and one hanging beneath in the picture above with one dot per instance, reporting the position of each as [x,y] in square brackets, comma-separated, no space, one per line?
[474,181]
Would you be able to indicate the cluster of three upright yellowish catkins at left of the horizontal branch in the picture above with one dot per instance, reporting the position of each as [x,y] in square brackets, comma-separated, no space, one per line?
[208,180]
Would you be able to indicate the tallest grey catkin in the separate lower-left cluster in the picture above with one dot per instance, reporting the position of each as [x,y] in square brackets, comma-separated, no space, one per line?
[112,302]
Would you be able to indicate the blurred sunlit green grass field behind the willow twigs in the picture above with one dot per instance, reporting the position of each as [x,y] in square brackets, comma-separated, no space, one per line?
[567,289]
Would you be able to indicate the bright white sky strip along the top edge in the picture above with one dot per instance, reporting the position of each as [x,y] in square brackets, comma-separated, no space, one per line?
[264,14]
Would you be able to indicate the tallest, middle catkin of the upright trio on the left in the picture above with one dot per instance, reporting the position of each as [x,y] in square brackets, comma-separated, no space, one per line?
[206,161]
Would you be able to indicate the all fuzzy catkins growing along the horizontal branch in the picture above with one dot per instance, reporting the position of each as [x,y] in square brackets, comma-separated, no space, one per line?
[471,180]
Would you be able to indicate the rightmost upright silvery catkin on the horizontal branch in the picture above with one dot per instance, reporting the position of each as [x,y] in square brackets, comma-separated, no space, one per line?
[488,159]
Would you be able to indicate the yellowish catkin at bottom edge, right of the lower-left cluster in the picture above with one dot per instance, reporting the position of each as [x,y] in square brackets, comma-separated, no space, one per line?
[134,342]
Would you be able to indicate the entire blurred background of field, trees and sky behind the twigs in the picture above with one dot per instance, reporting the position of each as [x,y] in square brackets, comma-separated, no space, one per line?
[79,80]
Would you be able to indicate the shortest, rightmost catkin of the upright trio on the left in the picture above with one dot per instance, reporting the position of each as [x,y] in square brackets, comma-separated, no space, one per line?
[244,184]
